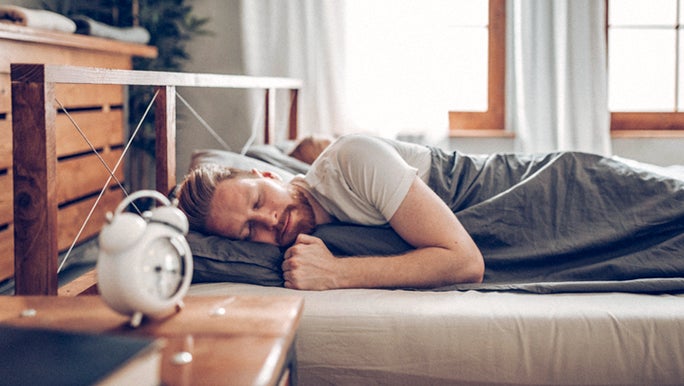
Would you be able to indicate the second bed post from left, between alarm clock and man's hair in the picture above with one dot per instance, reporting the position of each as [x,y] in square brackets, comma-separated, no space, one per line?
[165,144]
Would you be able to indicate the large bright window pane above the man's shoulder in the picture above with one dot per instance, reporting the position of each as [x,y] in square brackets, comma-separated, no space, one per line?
[408,63]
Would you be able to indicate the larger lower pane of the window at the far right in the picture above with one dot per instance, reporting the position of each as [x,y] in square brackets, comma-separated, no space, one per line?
[642,70]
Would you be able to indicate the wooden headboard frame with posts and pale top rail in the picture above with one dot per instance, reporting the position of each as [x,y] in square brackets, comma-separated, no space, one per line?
[34,157]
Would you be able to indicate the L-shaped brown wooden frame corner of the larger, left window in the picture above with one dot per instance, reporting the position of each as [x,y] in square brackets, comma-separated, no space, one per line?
[491,121]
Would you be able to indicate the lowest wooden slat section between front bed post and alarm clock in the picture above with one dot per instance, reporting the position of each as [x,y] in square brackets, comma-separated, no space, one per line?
[70,218]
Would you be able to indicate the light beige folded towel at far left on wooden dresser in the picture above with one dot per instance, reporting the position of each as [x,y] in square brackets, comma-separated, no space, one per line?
[36,18]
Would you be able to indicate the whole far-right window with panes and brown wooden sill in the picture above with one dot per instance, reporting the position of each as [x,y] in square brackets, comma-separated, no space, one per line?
[646,83]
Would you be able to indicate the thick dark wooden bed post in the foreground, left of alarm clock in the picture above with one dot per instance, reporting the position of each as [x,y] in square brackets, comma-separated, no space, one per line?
[34,167]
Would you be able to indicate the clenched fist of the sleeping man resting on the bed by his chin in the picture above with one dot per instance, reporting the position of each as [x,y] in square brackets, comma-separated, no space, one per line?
[309,265]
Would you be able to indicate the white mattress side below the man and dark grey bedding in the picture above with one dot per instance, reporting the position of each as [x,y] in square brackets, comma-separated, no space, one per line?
[383,337]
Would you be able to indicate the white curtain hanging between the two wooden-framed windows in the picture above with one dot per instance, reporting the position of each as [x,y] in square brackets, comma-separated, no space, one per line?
[558,93]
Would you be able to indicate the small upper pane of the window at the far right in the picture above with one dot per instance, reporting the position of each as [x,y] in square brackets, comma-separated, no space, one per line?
[642,12]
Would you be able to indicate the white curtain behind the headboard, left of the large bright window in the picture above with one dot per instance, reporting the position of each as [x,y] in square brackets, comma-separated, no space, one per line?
[298,39]
